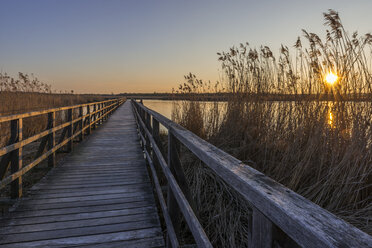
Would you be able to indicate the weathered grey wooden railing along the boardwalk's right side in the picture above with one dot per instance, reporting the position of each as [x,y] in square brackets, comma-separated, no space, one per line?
[274,207]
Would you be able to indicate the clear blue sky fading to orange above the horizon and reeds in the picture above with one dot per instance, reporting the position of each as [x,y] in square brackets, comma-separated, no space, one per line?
[115,46]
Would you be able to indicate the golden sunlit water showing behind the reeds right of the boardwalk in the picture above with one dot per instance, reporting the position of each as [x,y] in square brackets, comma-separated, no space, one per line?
[342,116]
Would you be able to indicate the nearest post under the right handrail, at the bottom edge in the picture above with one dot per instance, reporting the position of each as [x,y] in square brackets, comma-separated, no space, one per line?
[262,230]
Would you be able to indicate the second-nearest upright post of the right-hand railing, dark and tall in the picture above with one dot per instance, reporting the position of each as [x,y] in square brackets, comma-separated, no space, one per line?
[174,211]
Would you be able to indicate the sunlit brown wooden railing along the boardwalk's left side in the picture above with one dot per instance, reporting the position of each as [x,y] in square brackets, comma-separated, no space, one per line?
[11,155]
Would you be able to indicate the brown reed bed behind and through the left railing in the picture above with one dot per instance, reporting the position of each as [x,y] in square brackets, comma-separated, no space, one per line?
[24,94]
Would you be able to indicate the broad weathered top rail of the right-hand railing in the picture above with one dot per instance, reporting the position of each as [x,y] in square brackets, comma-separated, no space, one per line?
[305,222]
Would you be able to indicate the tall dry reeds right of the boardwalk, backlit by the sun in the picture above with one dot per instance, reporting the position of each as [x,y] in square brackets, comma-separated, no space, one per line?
[319,149]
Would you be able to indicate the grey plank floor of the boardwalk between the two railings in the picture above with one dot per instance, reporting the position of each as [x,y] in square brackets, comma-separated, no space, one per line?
[101,196]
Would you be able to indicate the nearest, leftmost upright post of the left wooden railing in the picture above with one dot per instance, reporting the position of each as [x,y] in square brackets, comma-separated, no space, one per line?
[16,158]
